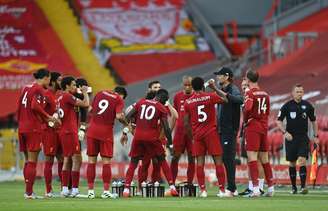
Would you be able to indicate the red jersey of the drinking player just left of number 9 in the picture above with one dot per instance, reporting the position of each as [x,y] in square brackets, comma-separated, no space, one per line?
[67,113]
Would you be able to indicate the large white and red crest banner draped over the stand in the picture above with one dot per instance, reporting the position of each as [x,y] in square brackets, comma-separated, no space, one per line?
[122,39]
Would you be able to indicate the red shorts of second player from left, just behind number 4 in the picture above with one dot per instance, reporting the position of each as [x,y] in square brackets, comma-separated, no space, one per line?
[50,142]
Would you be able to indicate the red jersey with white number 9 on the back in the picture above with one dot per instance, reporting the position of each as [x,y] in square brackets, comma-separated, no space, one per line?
[105,106]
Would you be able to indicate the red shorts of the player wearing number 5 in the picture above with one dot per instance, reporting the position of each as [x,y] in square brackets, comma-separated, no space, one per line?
[209,144]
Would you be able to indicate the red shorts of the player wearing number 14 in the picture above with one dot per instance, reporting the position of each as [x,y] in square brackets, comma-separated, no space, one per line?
[256,142]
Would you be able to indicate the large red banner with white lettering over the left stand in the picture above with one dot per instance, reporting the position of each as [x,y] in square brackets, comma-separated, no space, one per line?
[27,43]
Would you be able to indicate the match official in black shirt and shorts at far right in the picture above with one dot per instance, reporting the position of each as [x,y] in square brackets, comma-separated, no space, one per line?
[297,112]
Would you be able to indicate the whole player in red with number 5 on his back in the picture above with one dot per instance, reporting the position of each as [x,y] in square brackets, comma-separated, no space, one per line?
[200,124]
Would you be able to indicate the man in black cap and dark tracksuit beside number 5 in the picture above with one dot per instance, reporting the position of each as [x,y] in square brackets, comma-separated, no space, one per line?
[228,117]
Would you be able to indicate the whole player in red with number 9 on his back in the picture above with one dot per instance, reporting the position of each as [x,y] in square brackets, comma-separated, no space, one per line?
[106,107]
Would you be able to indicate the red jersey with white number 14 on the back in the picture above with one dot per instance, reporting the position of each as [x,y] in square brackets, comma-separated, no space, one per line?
[257,110]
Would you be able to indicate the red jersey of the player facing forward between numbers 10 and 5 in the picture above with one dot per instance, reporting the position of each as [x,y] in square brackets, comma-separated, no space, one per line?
[178,103]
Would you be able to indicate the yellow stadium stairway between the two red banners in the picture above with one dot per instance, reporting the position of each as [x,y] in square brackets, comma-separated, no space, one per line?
[61,18]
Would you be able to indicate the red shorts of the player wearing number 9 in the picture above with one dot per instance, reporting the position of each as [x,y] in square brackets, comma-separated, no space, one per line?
[104,147]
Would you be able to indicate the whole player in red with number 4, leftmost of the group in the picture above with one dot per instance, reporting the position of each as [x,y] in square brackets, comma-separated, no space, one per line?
[31,116]
